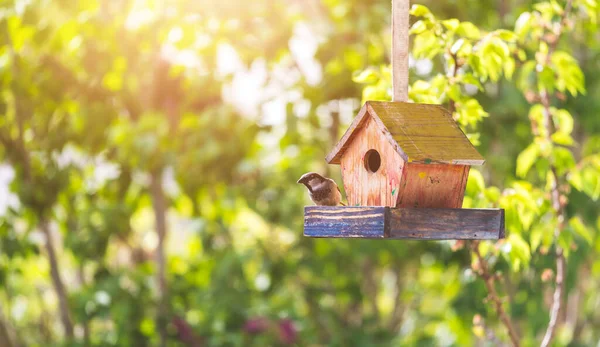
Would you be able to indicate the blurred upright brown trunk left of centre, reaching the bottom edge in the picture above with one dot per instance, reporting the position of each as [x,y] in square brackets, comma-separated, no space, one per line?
[159,206]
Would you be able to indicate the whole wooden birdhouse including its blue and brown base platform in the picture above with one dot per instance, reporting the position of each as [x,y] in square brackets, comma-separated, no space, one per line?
[405,168]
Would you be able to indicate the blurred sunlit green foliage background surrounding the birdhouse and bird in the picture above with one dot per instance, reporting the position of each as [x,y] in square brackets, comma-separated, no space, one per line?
[226,104]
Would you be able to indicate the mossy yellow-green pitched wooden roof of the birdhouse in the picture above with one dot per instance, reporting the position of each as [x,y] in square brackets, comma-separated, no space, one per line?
[418,132]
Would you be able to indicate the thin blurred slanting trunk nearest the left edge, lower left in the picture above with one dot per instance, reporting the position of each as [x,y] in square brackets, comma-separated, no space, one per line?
[57,281]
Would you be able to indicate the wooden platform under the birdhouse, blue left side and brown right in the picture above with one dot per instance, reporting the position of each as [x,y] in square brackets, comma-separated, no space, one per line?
[372,222]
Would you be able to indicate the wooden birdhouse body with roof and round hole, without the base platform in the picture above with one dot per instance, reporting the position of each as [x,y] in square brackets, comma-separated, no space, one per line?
[400,154]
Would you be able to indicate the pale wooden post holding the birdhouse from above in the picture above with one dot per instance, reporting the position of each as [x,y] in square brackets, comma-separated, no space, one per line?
[400,25]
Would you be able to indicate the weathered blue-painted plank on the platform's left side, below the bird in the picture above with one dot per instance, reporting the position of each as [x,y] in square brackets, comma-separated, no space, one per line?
[340,221]
